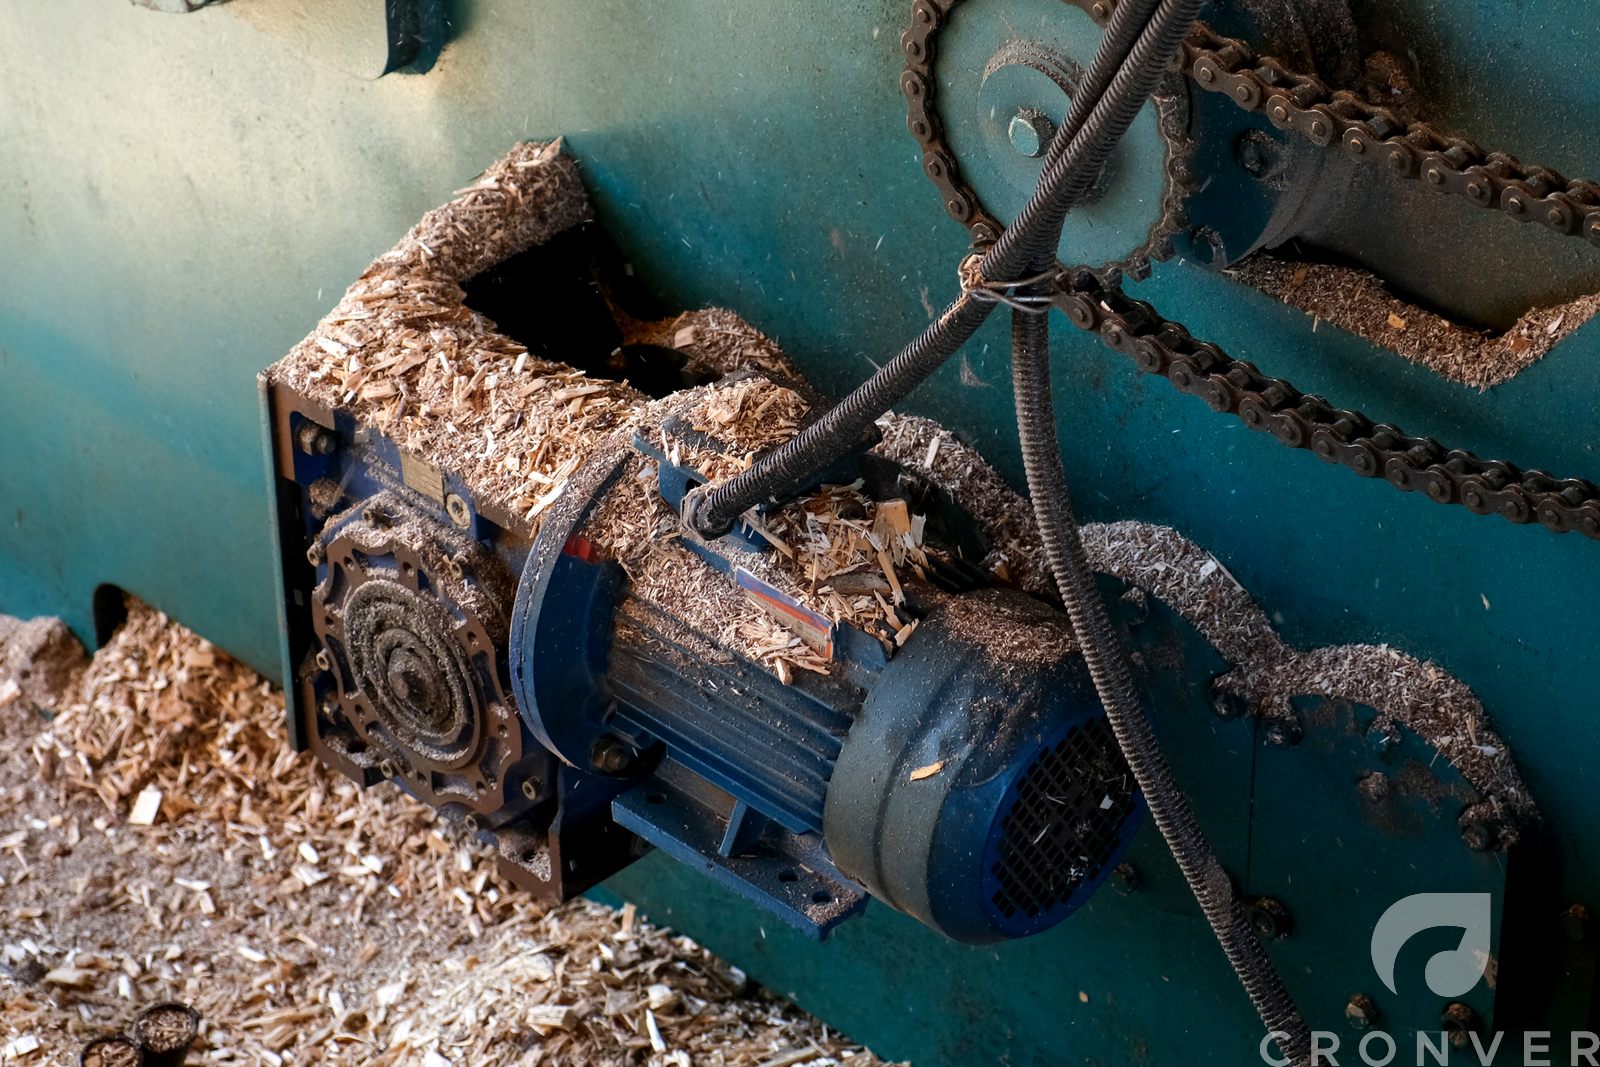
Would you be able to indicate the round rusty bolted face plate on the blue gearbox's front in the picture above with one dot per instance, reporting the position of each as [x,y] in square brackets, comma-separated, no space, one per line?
[414,631]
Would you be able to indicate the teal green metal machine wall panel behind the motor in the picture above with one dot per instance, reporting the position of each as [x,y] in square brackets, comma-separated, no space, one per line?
[183,198]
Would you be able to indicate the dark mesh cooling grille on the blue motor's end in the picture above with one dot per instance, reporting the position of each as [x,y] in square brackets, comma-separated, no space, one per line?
[1063,823]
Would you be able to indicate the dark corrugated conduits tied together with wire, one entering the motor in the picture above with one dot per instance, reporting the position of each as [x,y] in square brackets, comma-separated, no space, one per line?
[1140,44]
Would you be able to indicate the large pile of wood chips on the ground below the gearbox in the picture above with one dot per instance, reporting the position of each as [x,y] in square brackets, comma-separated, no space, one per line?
[158,842]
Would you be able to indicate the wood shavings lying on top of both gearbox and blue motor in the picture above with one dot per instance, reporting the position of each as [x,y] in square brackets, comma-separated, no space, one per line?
[406,356]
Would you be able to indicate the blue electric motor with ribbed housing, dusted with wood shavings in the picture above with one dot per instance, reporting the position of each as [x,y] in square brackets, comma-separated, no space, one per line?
[970,780]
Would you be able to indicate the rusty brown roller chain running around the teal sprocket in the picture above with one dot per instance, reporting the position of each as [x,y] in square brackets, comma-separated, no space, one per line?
[1369,134]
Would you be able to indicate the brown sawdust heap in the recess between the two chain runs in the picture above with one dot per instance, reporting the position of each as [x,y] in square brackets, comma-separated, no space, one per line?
[1359,303]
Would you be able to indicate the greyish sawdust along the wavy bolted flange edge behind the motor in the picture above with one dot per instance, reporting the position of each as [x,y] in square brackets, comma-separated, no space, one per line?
[1268,671]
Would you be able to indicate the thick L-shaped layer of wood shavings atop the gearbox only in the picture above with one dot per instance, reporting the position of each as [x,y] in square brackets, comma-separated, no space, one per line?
[402,353]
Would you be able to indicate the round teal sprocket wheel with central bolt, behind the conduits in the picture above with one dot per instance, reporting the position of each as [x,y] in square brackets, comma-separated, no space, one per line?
[1004,74]
